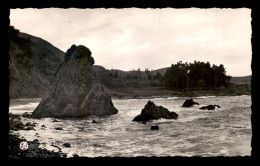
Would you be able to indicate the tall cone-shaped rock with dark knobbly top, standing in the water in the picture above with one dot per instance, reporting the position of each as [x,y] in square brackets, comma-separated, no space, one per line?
[75,92]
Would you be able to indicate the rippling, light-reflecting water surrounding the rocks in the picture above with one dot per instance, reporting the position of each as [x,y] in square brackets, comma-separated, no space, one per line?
[225,131]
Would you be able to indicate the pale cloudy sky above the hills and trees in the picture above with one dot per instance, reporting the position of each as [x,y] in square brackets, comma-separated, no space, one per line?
[133,38]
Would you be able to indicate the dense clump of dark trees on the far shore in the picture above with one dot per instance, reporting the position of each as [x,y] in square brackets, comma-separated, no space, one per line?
[197,75]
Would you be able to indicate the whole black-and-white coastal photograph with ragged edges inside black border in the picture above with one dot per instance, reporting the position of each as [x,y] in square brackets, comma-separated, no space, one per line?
[130,82]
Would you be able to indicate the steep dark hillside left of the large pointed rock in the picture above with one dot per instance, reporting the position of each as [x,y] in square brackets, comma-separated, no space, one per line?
[33,64]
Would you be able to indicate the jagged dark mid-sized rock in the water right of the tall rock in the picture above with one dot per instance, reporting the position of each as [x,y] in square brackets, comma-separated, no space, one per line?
[153,112]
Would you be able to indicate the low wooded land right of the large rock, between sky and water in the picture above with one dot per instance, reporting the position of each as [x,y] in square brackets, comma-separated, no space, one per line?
[137,83]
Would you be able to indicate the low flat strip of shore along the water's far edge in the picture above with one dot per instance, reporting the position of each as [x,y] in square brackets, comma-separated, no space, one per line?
[161,92]
